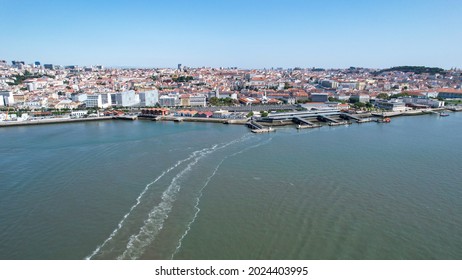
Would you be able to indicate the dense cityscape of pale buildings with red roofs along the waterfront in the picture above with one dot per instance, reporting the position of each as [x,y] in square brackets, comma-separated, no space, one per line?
[39,90]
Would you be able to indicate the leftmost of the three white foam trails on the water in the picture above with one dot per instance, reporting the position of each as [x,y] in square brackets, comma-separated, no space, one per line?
[138,200]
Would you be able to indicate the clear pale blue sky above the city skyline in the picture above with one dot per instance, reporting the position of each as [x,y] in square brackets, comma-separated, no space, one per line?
[241,33]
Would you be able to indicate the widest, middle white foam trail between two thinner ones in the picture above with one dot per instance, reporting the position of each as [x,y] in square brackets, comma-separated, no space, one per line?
[155,221]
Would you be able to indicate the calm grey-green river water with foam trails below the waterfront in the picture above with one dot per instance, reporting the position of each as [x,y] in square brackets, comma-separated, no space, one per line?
[147,190]
